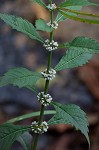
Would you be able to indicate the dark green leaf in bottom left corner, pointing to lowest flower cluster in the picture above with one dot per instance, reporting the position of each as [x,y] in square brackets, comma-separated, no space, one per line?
[9,133]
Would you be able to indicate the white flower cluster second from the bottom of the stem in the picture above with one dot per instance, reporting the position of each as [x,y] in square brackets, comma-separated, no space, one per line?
[44,99]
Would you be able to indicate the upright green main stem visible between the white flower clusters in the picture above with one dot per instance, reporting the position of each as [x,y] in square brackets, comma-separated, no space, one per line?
[46,84]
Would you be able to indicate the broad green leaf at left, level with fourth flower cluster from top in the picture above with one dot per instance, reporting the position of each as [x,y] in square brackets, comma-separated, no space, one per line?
[20,77]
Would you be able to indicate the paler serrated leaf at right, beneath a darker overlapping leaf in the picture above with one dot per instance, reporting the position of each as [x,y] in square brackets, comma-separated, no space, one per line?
[73,58]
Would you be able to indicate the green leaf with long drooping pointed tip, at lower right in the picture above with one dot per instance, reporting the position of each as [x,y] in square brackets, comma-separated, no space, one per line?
[70,114]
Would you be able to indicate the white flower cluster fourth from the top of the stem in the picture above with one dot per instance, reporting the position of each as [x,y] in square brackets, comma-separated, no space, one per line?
[49,75]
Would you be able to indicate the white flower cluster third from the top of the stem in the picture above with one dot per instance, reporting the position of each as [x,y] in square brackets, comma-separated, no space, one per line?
[50,46]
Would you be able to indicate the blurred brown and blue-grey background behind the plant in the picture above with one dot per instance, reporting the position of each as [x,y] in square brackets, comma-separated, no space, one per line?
[79,86]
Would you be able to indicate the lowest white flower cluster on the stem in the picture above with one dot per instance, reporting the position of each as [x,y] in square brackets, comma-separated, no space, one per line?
[39,128]
